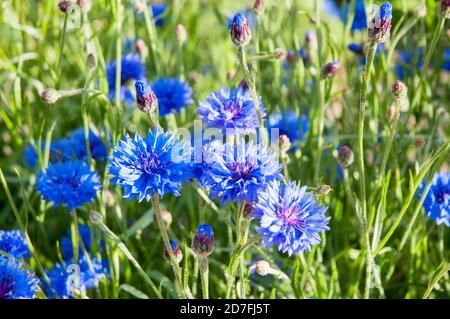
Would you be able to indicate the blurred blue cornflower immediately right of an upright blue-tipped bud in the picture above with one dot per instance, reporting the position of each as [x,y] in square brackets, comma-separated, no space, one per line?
[172,95]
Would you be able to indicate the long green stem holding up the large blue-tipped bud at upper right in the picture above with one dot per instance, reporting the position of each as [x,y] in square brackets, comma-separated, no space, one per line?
[362,178]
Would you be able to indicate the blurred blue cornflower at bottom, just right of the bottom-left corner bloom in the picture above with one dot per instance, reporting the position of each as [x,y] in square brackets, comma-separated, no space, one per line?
[67,279]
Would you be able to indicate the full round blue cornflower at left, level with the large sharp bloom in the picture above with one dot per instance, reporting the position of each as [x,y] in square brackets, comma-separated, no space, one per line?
[72,184]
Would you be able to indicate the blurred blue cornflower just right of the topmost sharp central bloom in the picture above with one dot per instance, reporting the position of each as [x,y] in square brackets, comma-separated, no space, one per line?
[293,126]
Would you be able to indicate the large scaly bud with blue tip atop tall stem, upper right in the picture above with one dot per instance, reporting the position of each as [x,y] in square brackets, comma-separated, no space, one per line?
[380,27]
